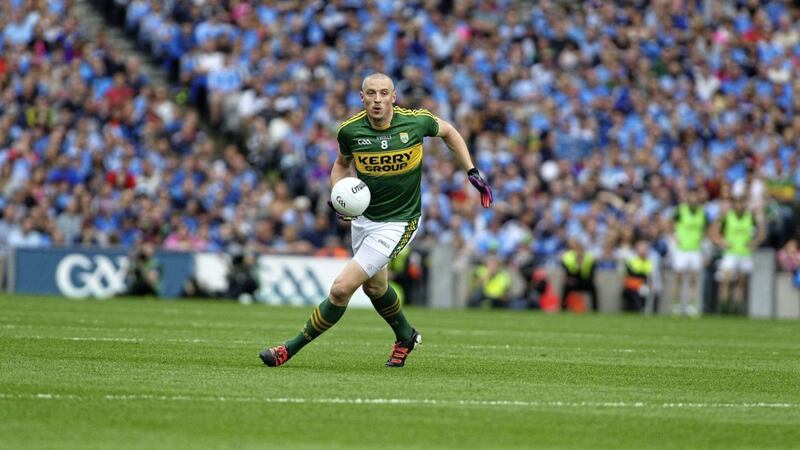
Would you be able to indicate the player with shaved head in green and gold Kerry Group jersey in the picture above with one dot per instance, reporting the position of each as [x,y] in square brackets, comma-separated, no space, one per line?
[384,143]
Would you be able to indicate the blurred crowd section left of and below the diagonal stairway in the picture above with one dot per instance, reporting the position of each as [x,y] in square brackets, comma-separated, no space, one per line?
[92,154]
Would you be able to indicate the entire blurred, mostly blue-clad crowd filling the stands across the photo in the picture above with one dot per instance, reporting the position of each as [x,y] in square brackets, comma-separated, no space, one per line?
[591,120]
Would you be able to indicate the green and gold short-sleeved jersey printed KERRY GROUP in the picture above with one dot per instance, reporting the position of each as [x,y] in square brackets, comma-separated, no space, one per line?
[389,160]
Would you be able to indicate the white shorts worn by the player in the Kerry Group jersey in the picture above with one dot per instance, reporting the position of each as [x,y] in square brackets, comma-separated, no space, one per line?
[376,243]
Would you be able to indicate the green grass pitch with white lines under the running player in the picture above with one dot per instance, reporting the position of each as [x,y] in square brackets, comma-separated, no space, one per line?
[185,374]
